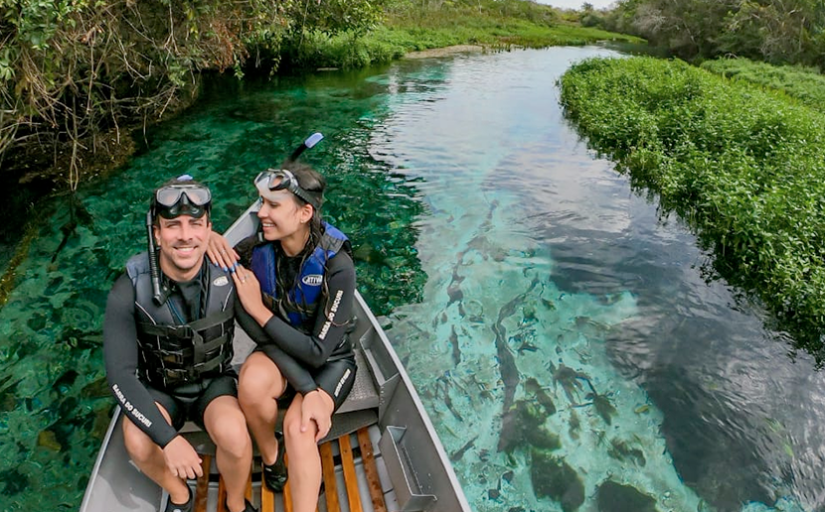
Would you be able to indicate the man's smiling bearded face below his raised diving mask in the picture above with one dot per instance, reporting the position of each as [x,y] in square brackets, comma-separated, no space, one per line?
[182,242]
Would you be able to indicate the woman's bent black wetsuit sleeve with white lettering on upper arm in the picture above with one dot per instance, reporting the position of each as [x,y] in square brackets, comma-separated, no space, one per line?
[334,313]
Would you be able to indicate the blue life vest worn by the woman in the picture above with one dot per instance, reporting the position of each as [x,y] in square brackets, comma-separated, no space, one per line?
[306,292]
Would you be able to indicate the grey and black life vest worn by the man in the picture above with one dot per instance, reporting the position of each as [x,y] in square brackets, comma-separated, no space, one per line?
[171,353]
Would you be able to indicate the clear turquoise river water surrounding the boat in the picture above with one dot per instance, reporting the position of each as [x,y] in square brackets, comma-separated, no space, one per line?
[516,267]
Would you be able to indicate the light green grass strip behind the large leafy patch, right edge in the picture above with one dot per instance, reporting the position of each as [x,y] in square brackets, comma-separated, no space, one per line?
[805,84]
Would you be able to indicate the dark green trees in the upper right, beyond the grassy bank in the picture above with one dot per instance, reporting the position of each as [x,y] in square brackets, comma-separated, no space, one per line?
[775,31]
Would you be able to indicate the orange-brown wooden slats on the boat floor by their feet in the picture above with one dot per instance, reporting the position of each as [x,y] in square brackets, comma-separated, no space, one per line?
[354,476]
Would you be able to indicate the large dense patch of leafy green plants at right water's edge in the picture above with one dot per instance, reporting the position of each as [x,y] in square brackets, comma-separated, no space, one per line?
[743,166]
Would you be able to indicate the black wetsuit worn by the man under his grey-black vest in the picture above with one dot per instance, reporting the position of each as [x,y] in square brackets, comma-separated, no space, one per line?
[120,350]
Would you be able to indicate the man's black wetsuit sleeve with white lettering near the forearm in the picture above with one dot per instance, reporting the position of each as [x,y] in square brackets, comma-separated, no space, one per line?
[120,352]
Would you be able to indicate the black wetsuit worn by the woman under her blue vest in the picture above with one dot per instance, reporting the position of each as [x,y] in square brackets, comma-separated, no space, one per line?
[309,360]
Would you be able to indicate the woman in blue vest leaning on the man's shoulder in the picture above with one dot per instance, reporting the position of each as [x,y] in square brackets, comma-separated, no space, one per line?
[295,283]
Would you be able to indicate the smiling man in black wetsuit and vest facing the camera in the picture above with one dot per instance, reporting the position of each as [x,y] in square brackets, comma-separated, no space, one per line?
[168,347]
